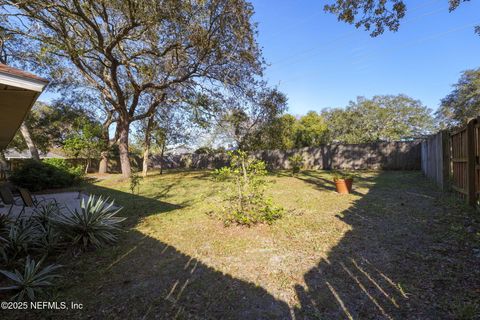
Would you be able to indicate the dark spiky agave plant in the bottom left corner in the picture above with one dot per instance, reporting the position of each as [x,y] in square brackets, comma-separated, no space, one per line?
[32,281]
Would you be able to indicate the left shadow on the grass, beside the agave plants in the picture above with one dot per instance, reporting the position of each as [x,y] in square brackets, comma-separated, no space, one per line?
[144,278]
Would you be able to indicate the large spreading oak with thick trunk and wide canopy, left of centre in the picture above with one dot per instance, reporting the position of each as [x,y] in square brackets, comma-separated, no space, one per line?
[136,53]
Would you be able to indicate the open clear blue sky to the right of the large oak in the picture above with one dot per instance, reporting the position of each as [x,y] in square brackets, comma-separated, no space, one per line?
[320,62]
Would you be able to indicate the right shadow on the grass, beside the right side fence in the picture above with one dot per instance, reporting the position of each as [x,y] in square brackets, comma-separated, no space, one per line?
[399,260]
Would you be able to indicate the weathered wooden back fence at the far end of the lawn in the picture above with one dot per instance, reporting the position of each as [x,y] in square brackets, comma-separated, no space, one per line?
[381,155]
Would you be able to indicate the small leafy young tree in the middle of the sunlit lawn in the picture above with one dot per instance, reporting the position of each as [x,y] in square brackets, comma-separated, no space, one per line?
[245,200]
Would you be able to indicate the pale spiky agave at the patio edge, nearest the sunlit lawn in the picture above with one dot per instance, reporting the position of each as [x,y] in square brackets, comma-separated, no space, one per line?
[94,224]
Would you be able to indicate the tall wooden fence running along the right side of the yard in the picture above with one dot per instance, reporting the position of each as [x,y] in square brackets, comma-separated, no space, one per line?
[451,159]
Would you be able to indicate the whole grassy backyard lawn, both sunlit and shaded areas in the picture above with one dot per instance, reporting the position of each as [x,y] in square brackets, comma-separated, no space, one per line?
[395,248]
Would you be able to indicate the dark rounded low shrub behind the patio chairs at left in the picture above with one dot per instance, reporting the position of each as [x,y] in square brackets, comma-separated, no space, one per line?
[36,176]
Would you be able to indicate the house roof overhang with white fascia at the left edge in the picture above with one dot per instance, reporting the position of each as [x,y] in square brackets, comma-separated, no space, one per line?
[18,92]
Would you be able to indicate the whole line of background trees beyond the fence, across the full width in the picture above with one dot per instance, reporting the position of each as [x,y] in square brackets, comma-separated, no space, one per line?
[262,123]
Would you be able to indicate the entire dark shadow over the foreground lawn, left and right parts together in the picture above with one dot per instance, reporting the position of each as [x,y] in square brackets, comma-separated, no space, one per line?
[383,268]
